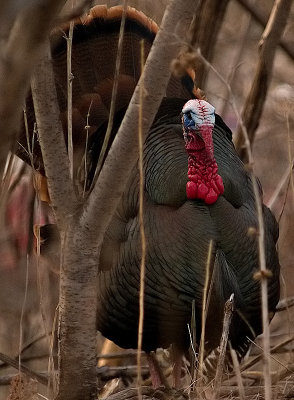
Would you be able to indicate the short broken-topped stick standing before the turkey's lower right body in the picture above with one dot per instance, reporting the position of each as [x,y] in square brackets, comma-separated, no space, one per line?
[228,313]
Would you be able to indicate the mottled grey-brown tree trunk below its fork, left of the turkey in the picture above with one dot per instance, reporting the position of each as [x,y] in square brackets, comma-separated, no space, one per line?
[77,325]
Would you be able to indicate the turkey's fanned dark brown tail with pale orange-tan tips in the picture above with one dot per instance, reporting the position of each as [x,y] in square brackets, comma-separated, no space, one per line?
[94,53]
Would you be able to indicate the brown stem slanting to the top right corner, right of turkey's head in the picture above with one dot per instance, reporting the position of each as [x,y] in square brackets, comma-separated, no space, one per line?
[267,46]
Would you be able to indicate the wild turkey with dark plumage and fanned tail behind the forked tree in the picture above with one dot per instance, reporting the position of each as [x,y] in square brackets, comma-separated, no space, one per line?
[197,192]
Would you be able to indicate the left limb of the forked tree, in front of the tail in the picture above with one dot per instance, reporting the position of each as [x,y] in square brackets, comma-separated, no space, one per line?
[53,146]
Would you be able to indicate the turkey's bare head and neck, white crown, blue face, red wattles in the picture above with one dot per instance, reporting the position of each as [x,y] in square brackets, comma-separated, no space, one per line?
[198,122]
